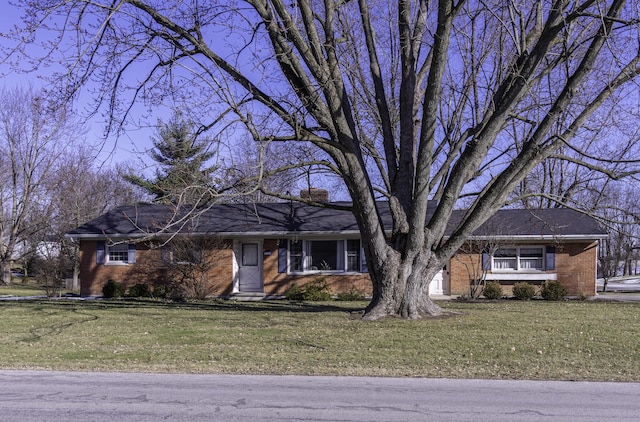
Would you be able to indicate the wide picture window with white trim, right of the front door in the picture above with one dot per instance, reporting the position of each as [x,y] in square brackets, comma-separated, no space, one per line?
[325,255]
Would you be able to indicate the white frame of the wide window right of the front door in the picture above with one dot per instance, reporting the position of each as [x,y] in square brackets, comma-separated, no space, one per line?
[309,267]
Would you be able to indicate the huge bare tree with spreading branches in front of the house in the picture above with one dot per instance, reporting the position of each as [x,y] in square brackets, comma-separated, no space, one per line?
[410,100]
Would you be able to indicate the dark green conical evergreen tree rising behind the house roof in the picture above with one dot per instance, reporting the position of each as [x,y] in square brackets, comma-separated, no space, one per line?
[181,177]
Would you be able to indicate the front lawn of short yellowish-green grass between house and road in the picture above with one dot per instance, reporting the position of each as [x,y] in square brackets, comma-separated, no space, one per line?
[511,339]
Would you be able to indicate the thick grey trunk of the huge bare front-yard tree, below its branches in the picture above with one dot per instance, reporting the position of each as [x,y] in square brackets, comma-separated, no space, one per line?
[401,289]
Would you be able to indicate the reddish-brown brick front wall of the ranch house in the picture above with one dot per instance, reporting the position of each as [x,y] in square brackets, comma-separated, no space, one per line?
[575,268]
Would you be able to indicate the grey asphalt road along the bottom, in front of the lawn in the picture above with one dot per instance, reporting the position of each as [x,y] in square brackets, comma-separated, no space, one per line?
[29,396]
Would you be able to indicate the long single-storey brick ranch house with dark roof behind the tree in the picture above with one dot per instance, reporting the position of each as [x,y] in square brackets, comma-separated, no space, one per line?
[263,249]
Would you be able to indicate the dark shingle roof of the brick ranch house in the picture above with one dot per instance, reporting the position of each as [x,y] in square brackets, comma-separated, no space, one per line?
[273,219]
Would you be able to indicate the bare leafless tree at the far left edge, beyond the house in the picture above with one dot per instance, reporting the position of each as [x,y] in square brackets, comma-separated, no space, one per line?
[32,136]
